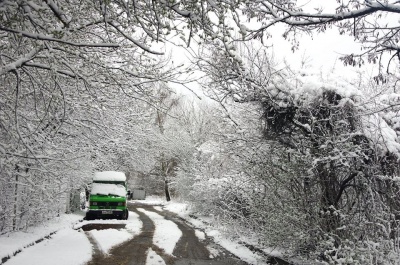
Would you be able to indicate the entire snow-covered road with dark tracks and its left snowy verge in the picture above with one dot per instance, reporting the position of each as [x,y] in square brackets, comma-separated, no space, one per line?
[152,235]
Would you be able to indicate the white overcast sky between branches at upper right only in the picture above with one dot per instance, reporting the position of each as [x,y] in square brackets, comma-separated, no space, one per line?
[324,49]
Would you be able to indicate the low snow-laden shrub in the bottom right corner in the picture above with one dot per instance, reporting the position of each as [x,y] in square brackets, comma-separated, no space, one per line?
[365,242]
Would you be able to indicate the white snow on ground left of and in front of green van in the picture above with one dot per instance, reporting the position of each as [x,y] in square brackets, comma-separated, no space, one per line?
[63,242]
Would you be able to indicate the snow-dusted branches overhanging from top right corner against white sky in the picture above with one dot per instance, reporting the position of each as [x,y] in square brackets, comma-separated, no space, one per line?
[374,24]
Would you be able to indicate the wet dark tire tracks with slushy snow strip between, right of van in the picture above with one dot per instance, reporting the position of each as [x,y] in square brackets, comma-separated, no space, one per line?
[184,248]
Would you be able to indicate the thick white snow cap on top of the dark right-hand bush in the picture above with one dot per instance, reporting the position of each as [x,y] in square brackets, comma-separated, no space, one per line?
[307,87]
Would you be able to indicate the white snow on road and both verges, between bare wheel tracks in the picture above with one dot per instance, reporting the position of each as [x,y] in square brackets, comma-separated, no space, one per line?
[68,244]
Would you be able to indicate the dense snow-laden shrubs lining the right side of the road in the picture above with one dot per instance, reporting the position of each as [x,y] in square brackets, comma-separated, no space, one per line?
[321,184]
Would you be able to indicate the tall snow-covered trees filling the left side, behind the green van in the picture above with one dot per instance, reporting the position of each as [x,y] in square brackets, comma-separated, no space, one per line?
[72,75]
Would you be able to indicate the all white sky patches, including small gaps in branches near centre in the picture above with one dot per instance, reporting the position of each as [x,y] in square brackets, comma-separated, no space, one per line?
[320,51]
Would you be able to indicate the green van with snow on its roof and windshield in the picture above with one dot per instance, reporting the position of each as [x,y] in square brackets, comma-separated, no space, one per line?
[108,196]
